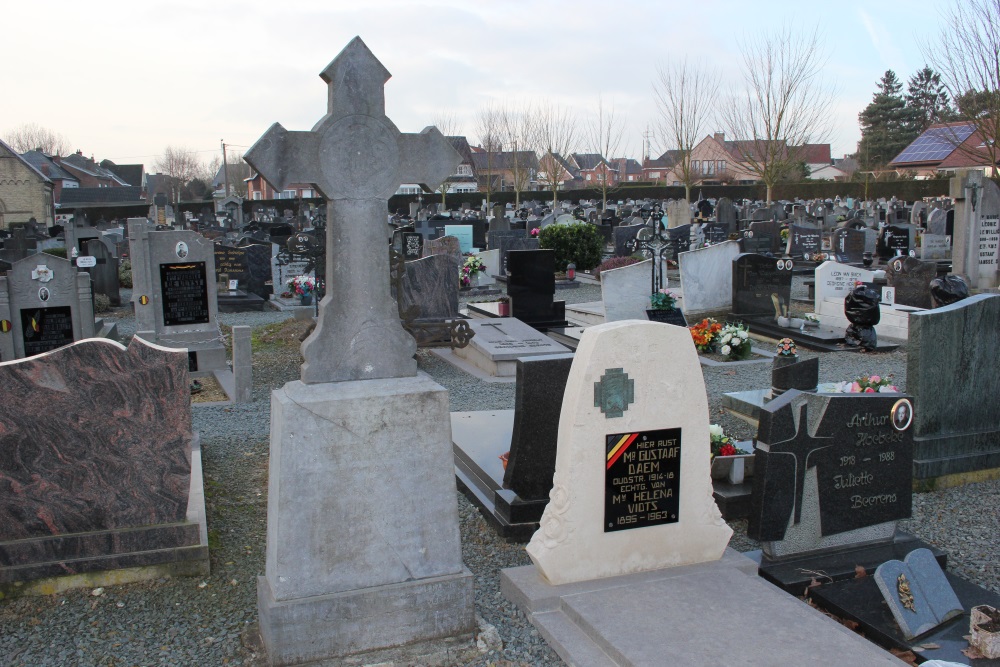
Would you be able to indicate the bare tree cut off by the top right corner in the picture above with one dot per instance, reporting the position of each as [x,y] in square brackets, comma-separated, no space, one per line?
[967,55]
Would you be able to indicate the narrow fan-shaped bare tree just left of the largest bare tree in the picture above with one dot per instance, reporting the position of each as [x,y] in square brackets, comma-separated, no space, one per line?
[684,96]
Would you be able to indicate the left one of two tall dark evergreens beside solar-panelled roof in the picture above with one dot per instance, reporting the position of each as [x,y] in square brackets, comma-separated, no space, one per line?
[887,125]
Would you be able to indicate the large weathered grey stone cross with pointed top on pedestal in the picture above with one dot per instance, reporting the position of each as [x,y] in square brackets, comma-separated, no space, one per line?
[357,159]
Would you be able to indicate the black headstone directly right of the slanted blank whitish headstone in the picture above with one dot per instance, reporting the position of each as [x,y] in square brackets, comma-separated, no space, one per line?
[758,282]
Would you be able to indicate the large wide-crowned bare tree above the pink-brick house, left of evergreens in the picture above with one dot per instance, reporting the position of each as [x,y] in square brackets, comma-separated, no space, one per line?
[783,105]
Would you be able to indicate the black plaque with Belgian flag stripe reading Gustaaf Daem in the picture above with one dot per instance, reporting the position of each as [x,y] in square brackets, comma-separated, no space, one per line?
[642,479]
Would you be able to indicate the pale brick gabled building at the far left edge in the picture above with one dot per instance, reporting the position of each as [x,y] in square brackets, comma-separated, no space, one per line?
[25,192]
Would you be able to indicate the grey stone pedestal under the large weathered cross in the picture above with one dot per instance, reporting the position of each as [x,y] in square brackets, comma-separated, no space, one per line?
[363,548]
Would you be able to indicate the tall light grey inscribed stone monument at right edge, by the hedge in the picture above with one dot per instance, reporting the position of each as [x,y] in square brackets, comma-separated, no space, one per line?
[976,234]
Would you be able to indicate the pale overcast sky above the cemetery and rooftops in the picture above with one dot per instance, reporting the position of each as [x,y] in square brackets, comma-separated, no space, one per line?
[123,79]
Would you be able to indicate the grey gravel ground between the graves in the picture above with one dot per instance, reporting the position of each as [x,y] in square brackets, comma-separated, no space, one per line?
[211,620]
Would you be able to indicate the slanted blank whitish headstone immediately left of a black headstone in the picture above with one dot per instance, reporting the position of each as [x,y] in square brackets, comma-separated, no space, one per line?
[707,279]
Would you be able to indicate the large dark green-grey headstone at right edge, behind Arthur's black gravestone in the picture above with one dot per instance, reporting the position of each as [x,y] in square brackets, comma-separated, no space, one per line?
[950,368]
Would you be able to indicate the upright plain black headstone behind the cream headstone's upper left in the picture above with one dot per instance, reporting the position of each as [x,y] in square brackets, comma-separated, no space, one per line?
[531,286]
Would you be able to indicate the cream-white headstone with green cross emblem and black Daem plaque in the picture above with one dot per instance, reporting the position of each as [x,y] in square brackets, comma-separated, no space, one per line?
[632,489]
